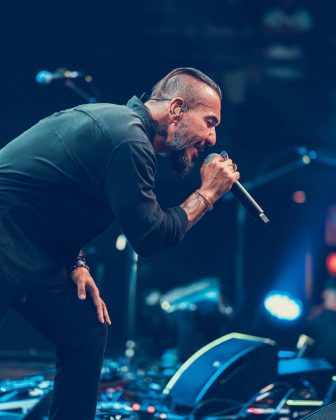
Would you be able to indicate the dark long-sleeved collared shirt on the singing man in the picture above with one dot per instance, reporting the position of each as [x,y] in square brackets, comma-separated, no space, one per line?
[66,179]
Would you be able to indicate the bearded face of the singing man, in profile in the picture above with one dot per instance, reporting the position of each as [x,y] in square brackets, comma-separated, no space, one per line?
[194,132]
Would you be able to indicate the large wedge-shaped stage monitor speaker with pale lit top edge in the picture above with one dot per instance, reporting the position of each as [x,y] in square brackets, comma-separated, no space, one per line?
[233,367]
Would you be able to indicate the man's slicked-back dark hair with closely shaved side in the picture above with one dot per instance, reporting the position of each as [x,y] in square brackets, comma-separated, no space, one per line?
[175,84]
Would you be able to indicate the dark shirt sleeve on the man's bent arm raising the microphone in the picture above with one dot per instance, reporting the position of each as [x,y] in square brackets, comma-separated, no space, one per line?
[128,186]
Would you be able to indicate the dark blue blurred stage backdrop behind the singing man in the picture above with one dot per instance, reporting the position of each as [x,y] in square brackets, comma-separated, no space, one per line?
[274,102]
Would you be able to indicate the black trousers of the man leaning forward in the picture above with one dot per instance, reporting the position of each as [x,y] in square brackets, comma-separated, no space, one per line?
[53,308]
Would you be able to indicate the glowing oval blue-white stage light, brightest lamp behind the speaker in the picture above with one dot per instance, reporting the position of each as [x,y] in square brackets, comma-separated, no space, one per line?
[283,305]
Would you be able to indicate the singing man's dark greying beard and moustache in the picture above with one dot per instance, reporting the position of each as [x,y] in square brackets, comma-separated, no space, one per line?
[179,157]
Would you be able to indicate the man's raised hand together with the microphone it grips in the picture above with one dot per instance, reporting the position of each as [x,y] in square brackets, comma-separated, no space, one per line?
[219,175]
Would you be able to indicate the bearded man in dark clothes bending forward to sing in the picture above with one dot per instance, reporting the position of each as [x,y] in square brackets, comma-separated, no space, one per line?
[65,180]
